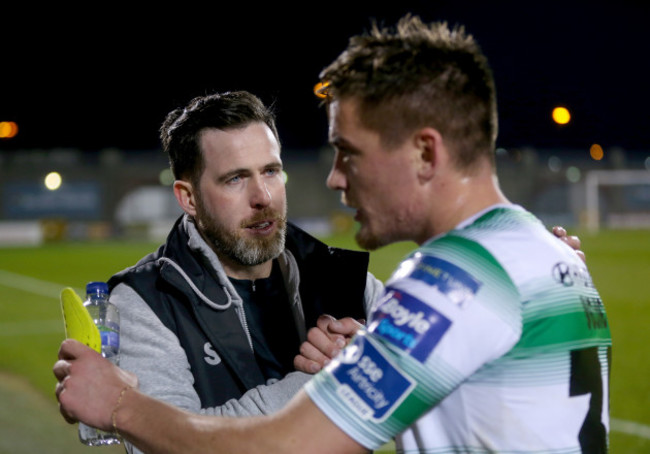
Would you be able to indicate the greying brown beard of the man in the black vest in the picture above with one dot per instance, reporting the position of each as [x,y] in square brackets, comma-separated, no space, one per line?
[245,251]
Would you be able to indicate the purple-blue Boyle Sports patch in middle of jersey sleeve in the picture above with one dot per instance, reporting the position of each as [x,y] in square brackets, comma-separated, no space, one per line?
[405,321]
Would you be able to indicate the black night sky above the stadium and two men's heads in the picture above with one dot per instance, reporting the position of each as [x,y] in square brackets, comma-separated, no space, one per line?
[106,77]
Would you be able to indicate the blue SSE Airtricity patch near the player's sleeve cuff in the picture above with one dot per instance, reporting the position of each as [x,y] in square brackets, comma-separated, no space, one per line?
[369,383]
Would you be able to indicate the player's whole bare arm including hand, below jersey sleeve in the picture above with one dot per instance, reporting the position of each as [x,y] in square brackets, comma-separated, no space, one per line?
[93,390]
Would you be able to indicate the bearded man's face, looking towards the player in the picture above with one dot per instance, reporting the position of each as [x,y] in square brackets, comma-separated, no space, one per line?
[241,202]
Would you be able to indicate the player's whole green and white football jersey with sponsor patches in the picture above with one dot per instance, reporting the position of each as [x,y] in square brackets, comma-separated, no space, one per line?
[490,338]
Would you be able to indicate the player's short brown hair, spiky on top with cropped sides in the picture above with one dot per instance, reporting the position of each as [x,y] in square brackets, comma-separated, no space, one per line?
[416,75]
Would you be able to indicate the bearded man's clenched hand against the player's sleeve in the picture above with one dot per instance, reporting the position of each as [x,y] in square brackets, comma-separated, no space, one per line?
[324,342]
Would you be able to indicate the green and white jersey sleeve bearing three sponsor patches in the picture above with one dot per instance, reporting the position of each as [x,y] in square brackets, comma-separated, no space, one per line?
[448,310]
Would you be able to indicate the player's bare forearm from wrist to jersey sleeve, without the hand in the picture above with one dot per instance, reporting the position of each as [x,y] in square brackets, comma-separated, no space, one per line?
[300,427]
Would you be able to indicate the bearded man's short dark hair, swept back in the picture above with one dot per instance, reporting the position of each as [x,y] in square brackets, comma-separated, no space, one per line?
[180,132]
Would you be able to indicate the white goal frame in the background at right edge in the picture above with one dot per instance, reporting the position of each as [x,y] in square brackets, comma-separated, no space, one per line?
[595,180]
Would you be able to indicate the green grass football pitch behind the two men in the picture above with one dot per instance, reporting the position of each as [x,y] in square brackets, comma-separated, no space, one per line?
[31,329]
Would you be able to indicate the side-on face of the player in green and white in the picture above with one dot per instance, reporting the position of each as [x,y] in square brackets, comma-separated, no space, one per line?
[376,181]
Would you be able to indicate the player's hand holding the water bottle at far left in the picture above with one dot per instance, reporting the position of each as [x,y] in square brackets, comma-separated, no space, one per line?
[89,386]
